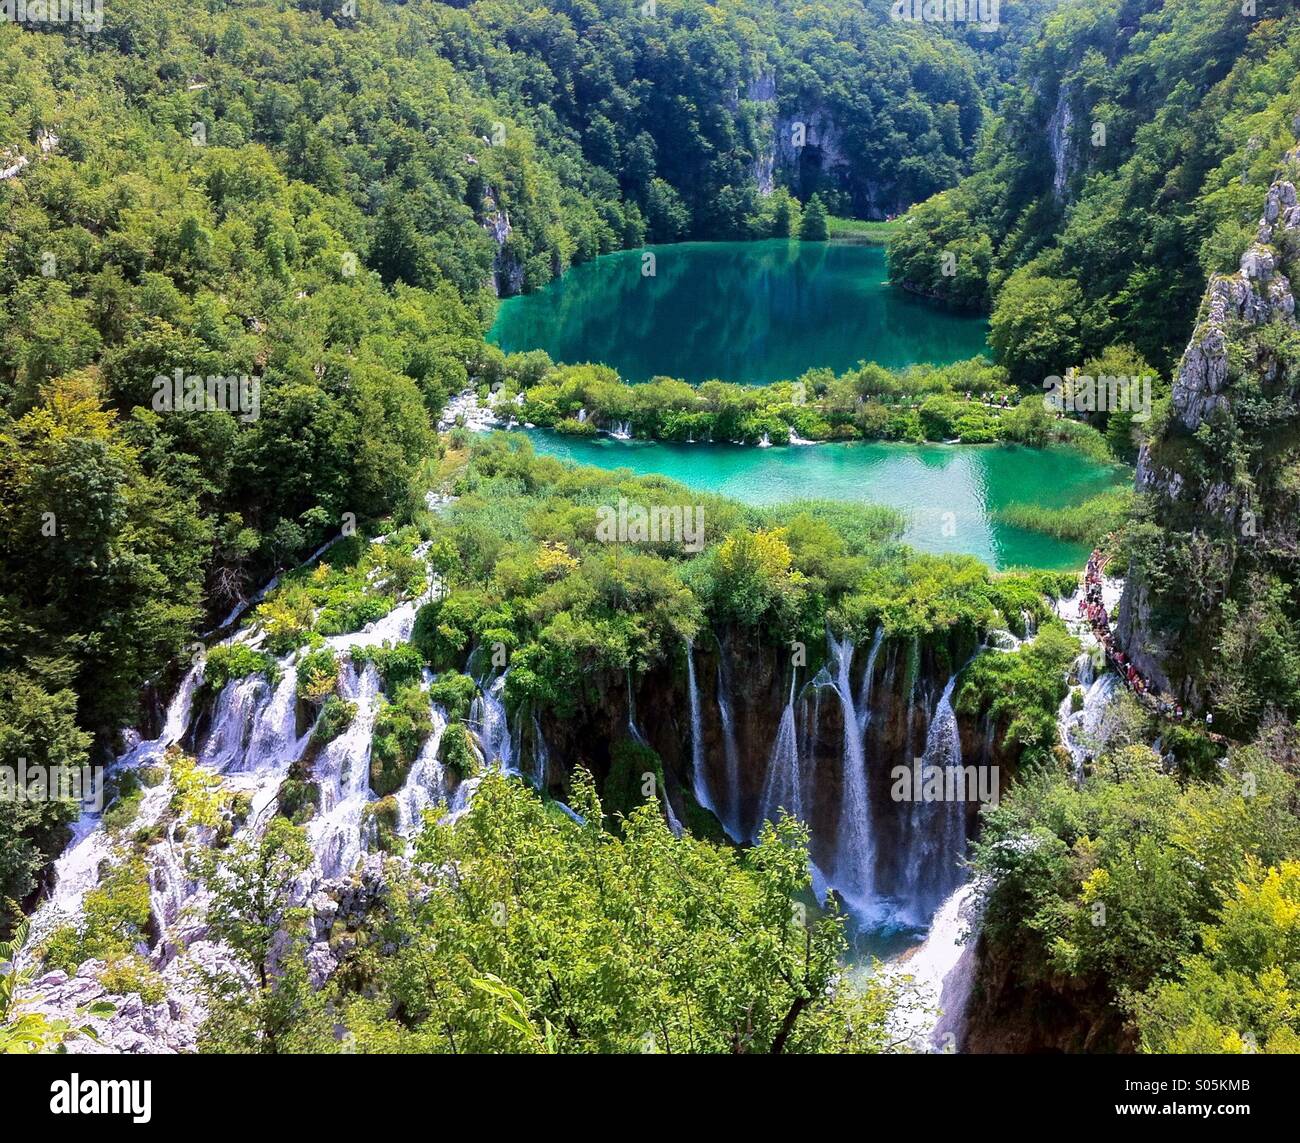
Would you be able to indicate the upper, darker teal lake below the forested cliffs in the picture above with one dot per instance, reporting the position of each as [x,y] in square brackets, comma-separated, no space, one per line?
[735,311]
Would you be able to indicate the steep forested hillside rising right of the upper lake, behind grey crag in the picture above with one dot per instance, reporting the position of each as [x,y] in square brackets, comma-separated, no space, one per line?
[1129,164]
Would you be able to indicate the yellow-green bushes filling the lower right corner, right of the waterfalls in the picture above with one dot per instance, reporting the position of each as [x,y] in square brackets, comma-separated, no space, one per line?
[1173,898]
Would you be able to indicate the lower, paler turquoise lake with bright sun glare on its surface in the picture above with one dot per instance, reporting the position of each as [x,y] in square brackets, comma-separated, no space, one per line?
[951,493]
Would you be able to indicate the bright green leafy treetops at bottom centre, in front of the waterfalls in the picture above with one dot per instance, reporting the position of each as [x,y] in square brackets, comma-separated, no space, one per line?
[521,930]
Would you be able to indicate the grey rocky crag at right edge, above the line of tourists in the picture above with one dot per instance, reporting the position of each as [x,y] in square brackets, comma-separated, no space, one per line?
[1220,474]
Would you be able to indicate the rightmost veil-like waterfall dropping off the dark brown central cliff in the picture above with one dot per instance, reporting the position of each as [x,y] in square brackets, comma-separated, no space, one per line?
[937,826]
